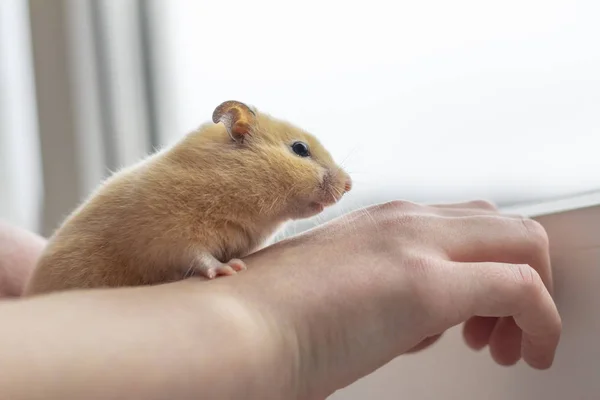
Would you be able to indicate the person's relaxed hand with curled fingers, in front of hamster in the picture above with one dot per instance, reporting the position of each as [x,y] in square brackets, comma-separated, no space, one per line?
[387,280]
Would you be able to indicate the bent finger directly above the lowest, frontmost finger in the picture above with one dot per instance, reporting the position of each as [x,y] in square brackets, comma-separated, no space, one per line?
[497,239]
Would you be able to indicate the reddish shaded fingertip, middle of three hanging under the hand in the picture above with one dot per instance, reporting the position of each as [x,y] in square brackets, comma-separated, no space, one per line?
[505,342]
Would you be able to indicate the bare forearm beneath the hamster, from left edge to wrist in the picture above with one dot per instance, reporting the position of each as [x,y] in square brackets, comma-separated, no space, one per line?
[182,340]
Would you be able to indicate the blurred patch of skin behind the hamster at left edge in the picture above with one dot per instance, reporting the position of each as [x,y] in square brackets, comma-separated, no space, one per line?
[19,251]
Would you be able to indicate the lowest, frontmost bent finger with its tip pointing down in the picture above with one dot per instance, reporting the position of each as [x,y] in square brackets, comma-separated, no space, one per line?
[504,290]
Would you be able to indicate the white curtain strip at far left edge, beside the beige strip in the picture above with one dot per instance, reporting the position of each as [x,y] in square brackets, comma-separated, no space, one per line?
[20,172]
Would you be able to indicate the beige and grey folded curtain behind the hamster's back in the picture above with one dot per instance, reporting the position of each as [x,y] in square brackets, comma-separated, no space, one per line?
[94,95]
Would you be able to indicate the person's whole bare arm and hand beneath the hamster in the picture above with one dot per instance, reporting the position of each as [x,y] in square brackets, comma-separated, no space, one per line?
[311,315]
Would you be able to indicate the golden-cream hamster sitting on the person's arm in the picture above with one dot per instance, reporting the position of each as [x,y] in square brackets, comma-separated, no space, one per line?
[195,208]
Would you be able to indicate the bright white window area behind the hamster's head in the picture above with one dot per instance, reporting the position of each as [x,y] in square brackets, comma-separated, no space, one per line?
[427,100]
